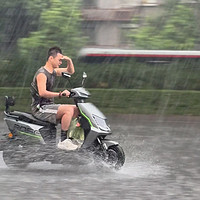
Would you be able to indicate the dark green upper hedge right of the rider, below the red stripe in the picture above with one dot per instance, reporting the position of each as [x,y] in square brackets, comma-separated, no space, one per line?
[176,75]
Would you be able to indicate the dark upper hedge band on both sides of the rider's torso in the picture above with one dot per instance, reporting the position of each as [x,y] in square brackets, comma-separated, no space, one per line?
[176,75]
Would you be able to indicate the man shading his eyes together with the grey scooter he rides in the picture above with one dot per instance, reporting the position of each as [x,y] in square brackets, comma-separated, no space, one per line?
[31,139]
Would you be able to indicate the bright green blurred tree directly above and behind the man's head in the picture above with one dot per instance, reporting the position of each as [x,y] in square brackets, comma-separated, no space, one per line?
[59,25]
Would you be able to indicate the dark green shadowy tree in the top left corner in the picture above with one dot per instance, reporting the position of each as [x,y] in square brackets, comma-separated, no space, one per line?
[15,22]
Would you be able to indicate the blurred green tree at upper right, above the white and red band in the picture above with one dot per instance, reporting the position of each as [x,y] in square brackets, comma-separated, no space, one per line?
[175,30]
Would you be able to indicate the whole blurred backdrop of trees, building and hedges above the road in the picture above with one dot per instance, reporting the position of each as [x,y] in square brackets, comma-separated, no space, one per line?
[141,56]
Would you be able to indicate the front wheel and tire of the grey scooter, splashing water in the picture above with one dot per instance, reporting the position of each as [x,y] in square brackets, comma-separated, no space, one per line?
[115,156]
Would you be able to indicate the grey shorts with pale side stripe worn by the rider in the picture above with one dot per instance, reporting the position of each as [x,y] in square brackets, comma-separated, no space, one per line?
[46,113]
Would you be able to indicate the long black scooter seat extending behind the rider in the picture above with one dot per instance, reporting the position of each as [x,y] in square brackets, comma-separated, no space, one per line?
[28,117]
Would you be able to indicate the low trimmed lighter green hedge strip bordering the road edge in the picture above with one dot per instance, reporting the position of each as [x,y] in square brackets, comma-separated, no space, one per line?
[131,101]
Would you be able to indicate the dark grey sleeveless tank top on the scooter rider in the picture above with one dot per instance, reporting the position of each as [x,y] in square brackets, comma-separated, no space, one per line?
[36,99]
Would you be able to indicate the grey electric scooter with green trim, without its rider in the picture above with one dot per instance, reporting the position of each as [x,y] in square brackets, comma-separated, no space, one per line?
[32,140]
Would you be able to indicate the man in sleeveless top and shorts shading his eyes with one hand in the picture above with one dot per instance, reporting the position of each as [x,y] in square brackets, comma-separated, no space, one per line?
[43,106]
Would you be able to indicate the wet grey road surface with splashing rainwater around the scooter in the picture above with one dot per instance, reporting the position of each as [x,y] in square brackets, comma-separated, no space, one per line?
[162,162]
